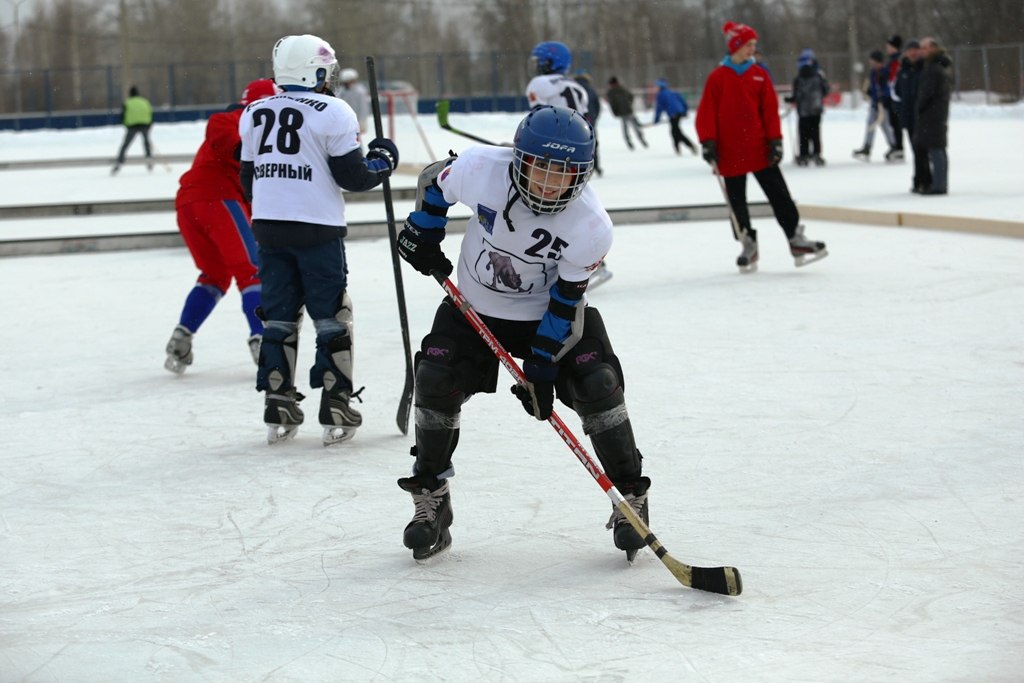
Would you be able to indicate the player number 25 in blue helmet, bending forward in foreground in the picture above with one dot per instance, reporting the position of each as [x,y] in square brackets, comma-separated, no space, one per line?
[538,233]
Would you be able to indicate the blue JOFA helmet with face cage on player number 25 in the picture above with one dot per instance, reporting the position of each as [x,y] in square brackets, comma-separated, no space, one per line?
[553,155]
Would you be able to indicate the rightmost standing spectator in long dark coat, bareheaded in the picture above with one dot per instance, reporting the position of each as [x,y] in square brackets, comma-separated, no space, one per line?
[932,113]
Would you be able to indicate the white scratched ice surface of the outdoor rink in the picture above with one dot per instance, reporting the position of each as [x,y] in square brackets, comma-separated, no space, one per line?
[847,435]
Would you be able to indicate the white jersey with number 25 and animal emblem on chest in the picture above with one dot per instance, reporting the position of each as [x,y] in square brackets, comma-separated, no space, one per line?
[511,258]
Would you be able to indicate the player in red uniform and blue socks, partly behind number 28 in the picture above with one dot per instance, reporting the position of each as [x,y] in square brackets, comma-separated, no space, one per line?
[215,221]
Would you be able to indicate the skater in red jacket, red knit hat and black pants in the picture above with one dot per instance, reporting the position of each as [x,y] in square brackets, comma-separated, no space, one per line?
[740,132]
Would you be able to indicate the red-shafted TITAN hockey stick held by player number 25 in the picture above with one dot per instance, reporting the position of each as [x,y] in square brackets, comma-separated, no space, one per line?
[723,580]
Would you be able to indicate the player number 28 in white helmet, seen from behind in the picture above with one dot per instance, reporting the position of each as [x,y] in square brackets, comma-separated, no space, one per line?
[298,148]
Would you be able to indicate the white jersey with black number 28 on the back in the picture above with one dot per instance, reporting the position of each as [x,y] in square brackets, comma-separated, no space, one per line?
[289,139]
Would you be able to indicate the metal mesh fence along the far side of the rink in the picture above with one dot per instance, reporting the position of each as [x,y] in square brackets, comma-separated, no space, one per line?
[996,70]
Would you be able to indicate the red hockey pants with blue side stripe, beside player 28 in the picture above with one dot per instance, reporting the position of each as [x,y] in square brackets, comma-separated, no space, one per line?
[222,243]
